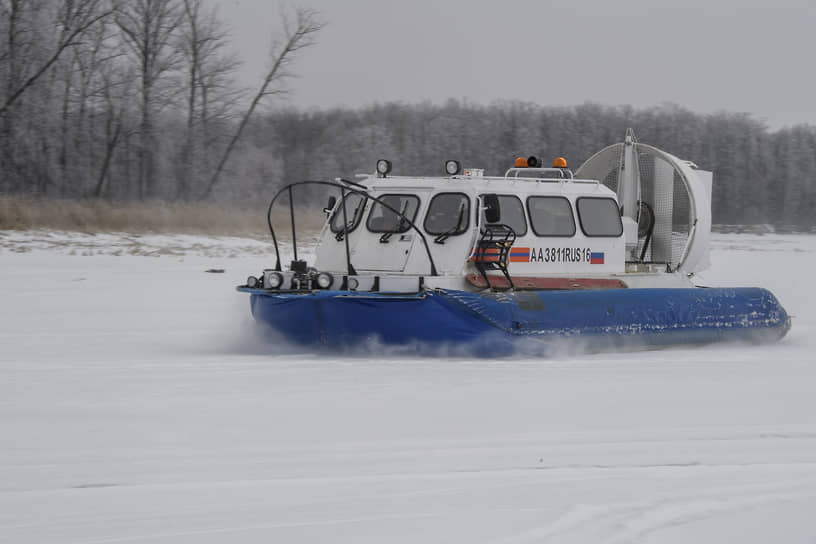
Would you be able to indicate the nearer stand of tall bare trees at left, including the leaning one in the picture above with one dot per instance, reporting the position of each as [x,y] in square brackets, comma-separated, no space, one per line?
[132,100]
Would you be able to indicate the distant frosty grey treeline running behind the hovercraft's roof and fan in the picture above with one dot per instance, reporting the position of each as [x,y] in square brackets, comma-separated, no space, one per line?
[760,176]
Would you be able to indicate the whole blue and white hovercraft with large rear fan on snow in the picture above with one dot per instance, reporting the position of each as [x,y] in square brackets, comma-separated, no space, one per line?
[602,257]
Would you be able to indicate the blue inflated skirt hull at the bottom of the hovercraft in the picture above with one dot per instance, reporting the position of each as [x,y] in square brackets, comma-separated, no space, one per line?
[496,324]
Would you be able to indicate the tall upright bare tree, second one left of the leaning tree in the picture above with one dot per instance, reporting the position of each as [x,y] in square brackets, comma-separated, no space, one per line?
[148,28]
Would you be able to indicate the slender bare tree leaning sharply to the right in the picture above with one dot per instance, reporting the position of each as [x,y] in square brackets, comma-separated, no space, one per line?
[297,36]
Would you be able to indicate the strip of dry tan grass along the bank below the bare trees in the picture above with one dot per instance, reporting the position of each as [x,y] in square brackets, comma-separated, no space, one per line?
[155,217]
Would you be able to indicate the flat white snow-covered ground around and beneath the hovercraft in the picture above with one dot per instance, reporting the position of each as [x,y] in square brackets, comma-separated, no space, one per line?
[137,404]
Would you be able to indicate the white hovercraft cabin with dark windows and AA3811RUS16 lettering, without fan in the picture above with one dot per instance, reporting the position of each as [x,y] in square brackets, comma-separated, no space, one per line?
[562,226]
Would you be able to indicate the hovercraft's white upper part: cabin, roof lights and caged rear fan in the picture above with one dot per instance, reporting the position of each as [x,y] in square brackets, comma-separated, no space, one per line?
[632,214]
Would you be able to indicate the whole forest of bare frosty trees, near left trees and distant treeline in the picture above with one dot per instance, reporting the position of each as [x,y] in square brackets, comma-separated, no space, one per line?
[138,101]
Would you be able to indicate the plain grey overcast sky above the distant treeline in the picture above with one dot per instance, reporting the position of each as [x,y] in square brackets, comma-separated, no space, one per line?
[736,55]
